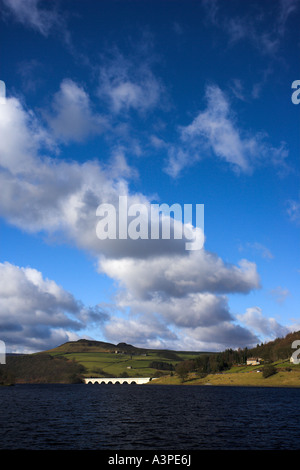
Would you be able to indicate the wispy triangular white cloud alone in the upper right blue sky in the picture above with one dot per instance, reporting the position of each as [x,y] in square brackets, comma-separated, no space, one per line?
[215,132]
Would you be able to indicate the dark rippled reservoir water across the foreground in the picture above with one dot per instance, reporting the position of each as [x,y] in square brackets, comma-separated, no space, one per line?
[107,417]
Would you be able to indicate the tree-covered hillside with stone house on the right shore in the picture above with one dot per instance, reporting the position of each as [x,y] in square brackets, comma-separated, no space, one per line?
[230,367]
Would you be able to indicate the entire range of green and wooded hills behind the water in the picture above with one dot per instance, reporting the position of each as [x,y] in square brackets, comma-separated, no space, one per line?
[74,360]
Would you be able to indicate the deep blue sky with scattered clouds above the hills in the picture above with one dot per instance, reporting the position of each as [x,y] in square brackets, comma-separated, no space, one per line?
[185,102]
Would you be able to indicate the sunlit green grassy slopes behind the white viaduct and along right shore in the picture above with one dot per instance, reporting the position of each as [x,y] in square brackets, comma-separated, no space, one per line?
[100,359]
